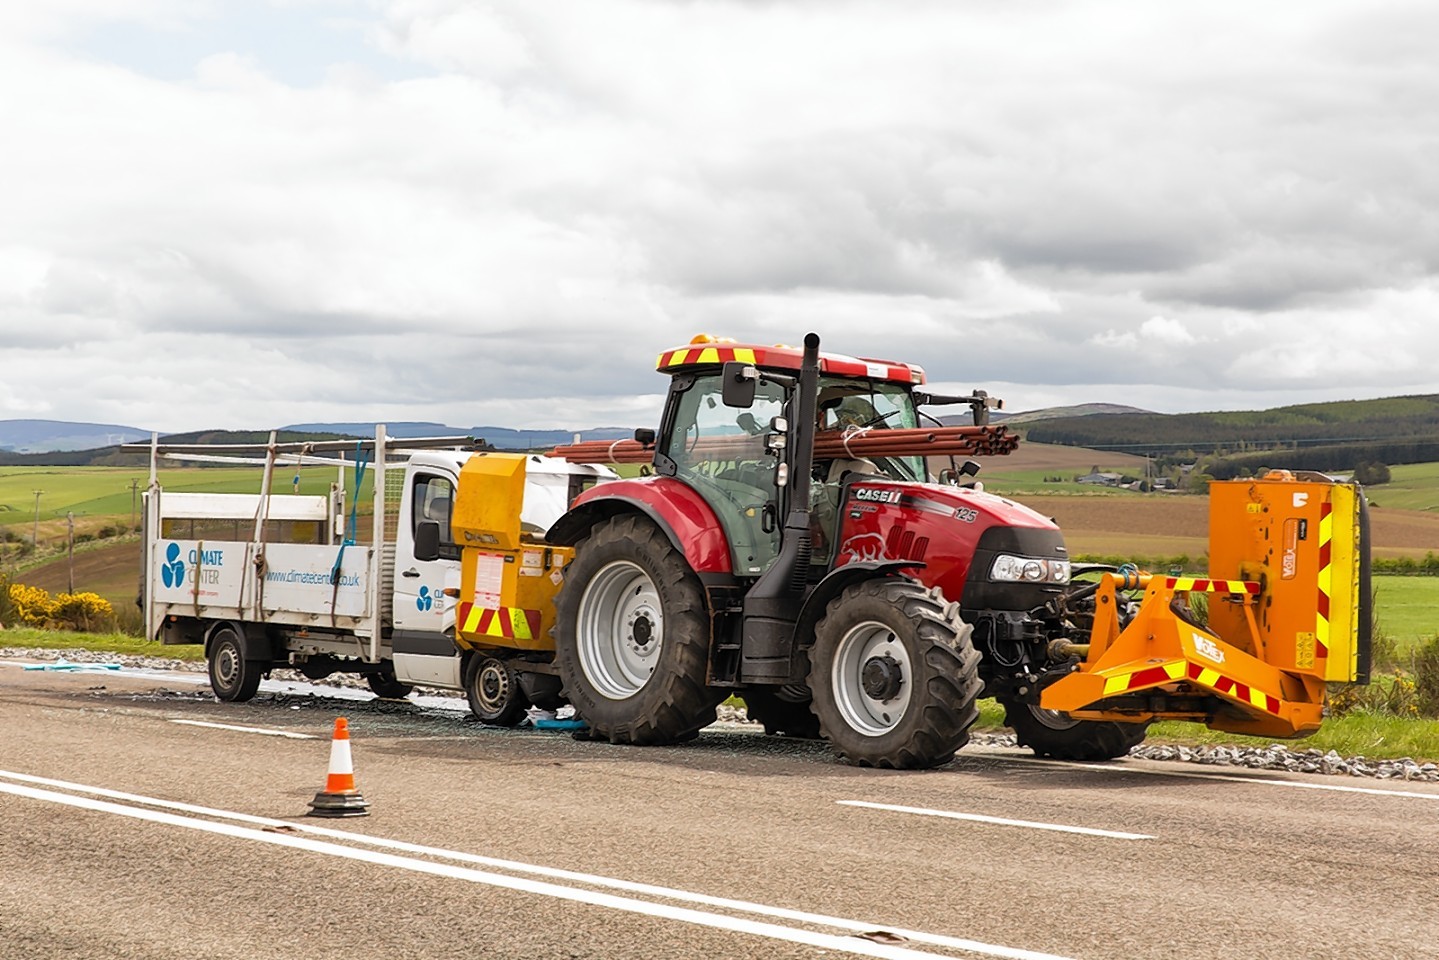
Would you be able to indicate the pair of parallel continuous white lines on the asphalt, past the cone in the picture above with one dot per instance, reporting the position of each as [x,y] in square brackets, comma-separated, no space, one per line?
[358,847]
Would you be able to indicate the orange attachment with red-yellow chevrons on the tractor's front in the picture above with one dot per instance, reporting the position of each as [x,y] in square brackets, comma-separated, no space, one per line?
[1286,611]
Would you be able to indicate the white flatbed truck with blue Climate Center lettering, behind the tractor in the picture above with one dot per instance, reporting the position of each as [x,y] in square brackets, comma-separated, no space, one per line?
[286,581]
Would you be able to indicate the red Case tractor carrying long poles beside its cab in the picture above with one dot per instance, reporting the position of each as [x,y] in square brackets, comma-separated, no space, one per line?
[792,548]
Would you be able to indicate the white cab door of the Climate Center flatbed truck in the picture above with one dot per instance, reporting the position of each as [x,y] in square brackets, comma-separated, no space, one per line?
[424,651]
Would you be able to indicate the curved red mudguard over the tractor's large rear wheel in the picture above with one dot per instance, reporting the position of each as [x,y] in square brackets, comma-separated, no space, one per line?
[687,520]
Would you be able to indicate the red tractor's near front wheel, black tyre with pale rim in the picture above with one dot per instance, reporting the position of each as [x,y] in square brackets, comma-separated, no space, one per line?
[894,676]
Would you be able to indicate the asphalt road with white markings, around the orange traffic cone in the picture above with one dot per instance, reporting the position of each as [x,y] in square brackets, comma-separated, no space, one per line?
[126,833]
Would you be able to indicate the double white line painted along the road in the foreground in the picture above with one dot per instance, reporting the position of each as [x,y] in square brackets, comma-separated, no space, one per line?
[778,913]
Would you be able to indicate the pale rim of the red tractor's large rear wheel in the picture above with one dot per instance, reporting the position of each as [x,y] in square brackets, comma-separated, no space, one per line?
[621,630]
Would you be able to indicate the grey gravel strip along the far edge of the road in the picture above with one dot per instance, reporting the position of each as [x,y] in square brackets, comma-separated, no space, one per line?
[1271,758]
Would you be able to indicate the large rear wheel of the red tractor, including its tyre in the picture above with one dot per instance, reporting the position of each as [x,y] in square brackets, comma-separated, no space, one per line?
[632,637]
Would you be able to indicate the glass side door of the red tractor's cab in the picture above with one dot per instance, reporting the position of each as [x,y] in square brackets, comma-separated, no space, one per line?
[720,454]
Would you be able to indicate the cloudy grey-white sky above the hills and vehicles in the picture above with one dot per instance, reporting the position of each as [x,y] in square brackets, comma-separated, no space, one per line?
[261,212]
